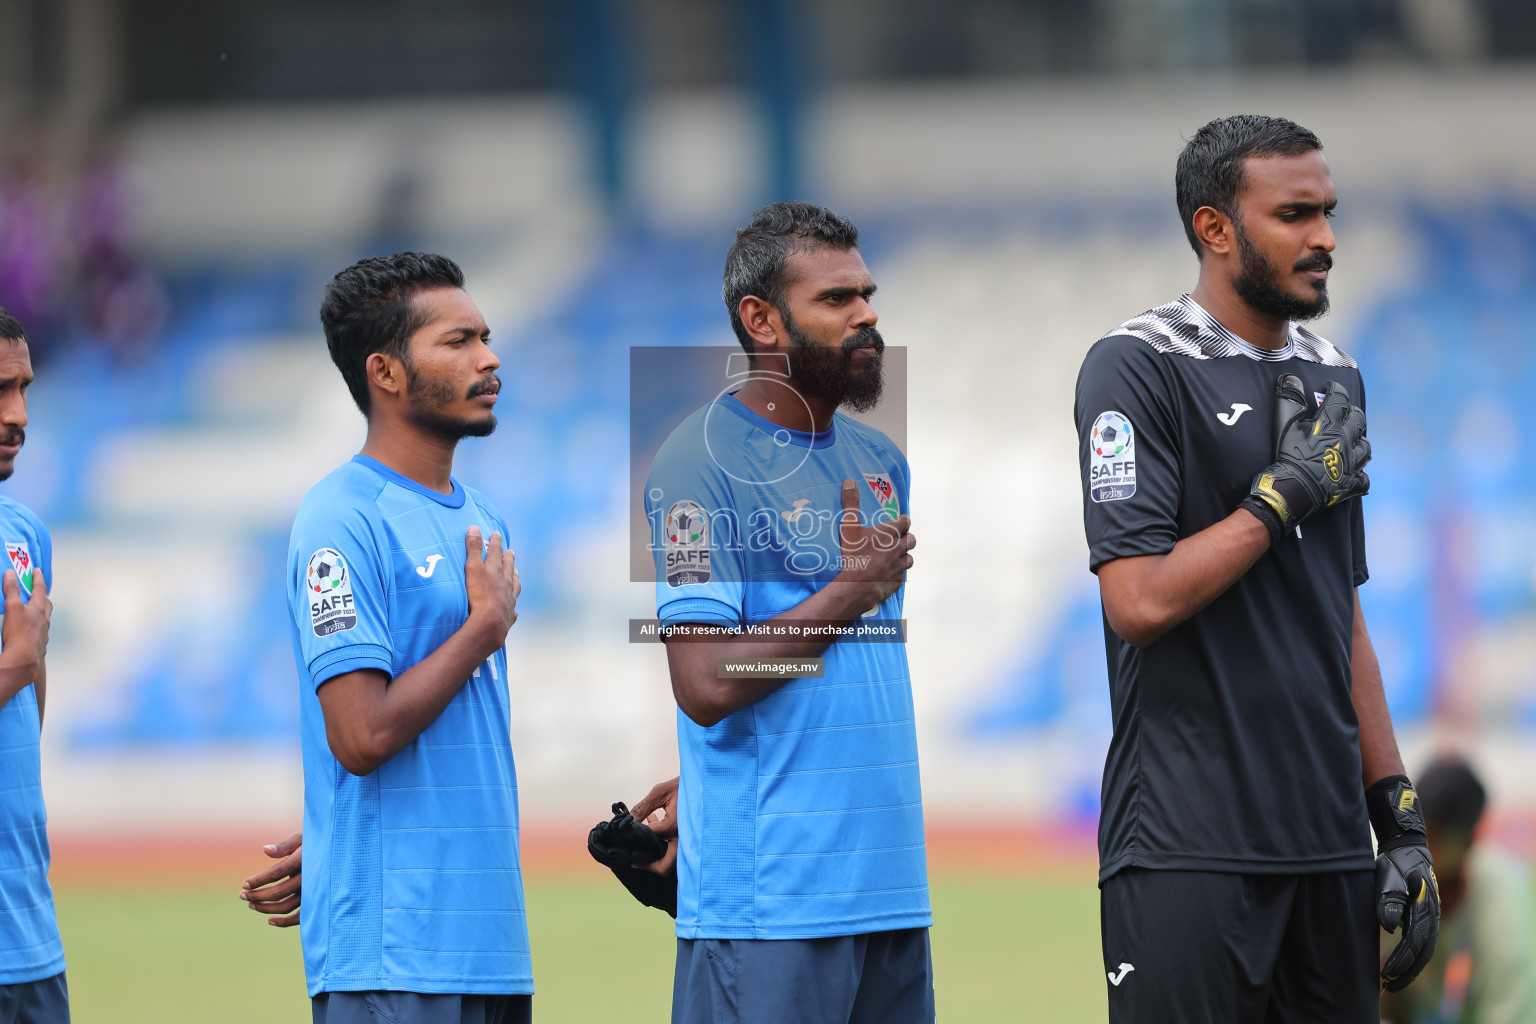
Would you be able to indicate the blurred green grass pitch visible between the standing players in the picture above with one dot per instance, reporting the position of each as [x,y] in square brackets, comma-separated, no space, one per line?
[1004,950]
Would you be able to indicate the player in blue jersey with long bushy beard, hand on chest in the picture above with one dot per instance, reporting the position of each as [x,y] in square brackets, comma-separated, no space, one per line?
[803,880]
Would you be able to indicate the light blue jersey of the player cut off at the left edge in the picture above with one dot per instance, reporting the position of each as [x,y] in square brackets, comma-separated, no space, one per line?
[30,948]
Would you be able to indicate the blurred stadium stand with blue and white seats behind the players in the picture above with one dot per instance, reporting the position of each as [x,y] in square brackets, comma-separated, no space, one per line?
[1010,167]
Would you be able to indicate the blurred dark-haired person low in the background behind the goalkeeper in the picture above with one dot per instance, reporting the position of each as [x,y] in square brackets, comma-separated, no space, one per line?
[1485,968]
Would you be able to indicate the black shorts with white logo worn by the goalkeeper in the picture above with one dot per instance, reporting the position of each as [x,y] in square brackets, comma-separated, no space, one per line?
[1208,948]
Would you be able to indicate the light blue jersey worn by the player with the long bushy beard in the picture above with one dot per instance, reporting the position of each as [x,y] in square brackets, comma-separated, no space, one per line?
[801,816]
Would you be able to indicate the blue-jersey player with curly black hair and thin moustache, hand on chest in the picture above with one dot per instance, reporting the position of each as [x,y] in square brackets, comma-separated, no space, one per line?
[402,598]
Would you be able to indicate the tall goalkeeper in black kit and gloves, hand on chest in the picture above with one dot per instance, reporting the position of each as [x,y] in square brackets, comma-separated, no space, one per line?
[1253,753]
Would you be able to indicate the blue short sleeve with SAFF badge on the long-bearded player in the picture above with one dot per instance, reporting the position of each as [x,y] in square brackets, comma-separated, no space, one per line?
[697,535]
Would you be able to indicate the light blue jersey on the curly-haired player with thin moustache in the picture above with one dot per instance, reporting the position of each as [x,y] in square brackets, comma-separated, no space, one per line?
[412,879]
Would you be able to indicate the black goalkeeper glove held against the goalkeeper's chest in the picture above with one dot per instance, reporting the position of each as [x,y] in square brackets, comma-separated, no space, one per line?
[1319,460]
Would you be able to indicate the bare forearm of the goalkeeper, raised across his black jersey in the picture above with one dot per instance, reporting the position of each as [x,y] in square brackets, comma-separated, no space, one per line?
[1150,595]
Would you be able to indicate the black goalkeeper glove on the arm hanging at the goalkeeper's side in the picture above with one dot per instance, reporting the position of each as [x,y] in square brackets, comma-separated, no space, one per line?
[1406,885]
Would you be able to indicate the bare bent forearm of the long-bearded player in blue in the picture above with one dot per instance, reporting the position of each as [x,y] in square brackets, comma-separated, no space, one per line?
[709,699]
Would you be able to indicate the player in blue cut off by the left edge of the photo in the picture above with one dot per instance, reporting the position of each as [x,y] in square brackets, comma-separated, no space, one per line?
[33,986]
